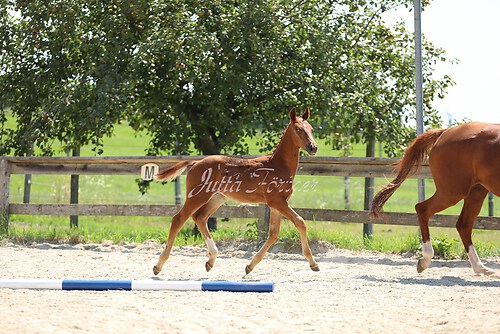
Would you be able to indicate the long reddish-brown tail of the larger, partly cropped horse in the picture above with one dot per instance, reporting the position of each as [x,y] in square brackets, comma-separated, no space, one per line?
[407,166]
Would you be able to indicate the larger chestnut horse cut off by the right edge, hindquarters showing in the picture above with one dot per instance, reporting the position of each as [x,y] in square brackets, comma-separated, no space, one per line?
[465,164]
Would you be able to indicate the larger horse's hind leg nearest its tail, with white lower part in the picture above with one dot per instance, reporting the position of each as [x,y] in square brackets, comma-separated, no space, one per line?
[425,210]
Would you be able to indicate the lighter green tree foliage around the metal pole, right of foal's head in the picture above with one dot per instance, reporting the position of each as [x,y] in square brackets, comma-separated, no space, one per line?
[374,85]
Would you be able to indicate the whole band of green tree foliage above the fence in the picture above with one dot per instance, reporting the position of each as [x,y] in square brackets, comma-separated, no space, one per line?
[207,74]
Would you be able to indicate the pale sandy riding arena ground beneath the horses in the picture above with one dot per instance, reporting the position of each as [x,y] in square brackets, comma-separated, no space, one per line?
[353,293]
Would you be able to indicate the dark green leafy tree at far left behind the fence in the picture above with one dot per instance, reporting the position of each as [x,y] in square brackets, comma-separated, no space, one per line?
[62,70]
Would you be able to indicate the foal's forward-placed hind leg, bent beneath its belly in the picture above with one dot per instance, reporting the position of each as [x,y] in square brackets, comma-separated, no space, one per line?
[200,217]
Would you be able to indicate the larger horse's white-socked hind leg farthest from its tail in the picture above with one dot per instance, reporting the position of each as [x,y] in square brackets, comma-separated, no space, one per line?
[472,206]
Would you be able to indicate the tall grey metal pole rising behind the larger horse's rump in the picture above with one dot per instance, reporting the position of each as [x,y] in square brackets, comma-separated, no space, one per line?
[419,83]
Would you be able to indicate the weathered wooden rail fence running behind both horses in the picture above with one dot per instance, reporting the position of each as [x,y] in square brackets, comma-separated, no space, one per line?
[320,166]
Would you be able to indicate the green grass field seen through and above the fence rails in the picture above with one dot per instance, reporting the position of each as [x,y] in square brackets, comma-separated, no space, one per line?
[326,192]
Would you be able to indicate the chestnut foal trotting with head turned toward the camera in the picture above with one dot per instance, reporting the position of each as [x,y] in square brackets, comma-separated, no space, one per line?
[266,179]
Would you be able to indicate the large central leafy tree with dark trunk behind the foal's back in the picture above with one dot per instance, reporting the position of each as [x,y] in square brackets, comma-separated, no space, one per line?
[212,73]
